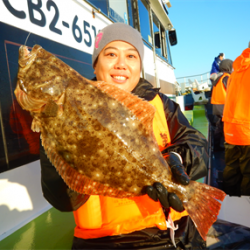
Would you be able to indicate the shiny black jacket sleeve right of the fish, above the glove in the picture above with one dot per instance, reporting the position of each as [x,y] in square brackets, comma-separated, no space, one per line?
[185,140]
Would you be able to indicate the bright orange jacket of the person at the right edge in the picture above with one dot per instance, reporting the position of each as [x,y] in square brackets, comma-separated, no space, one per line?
[236,115]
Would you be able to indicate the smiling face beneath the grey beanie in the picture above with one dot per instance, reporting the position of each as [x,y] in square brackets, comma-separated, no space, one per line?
[119,63]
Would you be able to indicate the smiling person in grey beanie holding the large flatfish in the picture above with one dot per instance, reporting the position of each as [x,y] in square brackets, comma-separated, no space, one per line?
[110,223]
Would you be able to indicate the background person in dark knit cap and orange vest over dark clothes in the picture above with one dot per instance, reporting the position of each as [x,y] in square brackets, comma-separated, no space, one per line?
[218,100]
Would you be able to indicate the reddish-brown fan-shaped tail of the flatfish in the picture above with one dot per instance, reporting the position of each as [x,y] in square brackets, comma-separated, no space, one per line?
[203,206]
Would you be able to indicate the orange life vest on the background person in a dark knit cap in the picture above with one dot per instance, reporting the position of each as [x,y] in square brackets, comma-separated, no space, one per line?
[219,91]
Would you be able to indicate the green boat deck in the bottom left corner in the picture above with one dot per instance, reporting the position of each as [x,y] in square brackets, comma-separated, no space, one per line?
[53,230]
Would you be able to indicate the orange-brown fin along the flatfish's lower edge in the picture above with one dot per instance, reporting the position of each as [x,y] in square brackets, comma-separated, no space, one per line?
[75,180]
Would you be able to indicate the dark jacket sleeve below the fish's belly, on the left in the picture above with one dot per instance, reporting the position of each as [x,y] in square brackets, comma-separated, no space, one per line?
[55,190]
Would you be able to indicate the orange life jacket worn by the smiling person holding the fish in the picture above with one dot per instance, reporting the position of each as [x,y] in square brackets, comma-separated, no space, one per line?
[104,216]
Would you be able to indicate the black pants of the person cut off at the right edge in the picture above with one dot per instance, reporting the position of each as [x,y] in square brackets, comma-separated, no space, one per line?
[236,175]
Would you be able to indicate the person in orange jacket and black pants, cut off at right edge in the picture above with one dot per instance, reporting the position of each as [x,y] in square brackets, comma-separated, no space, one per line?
[236,118]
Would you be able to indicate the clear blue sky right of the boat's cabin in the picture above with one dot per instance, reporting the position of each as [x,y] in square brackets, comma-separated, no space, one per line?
[206,28]
